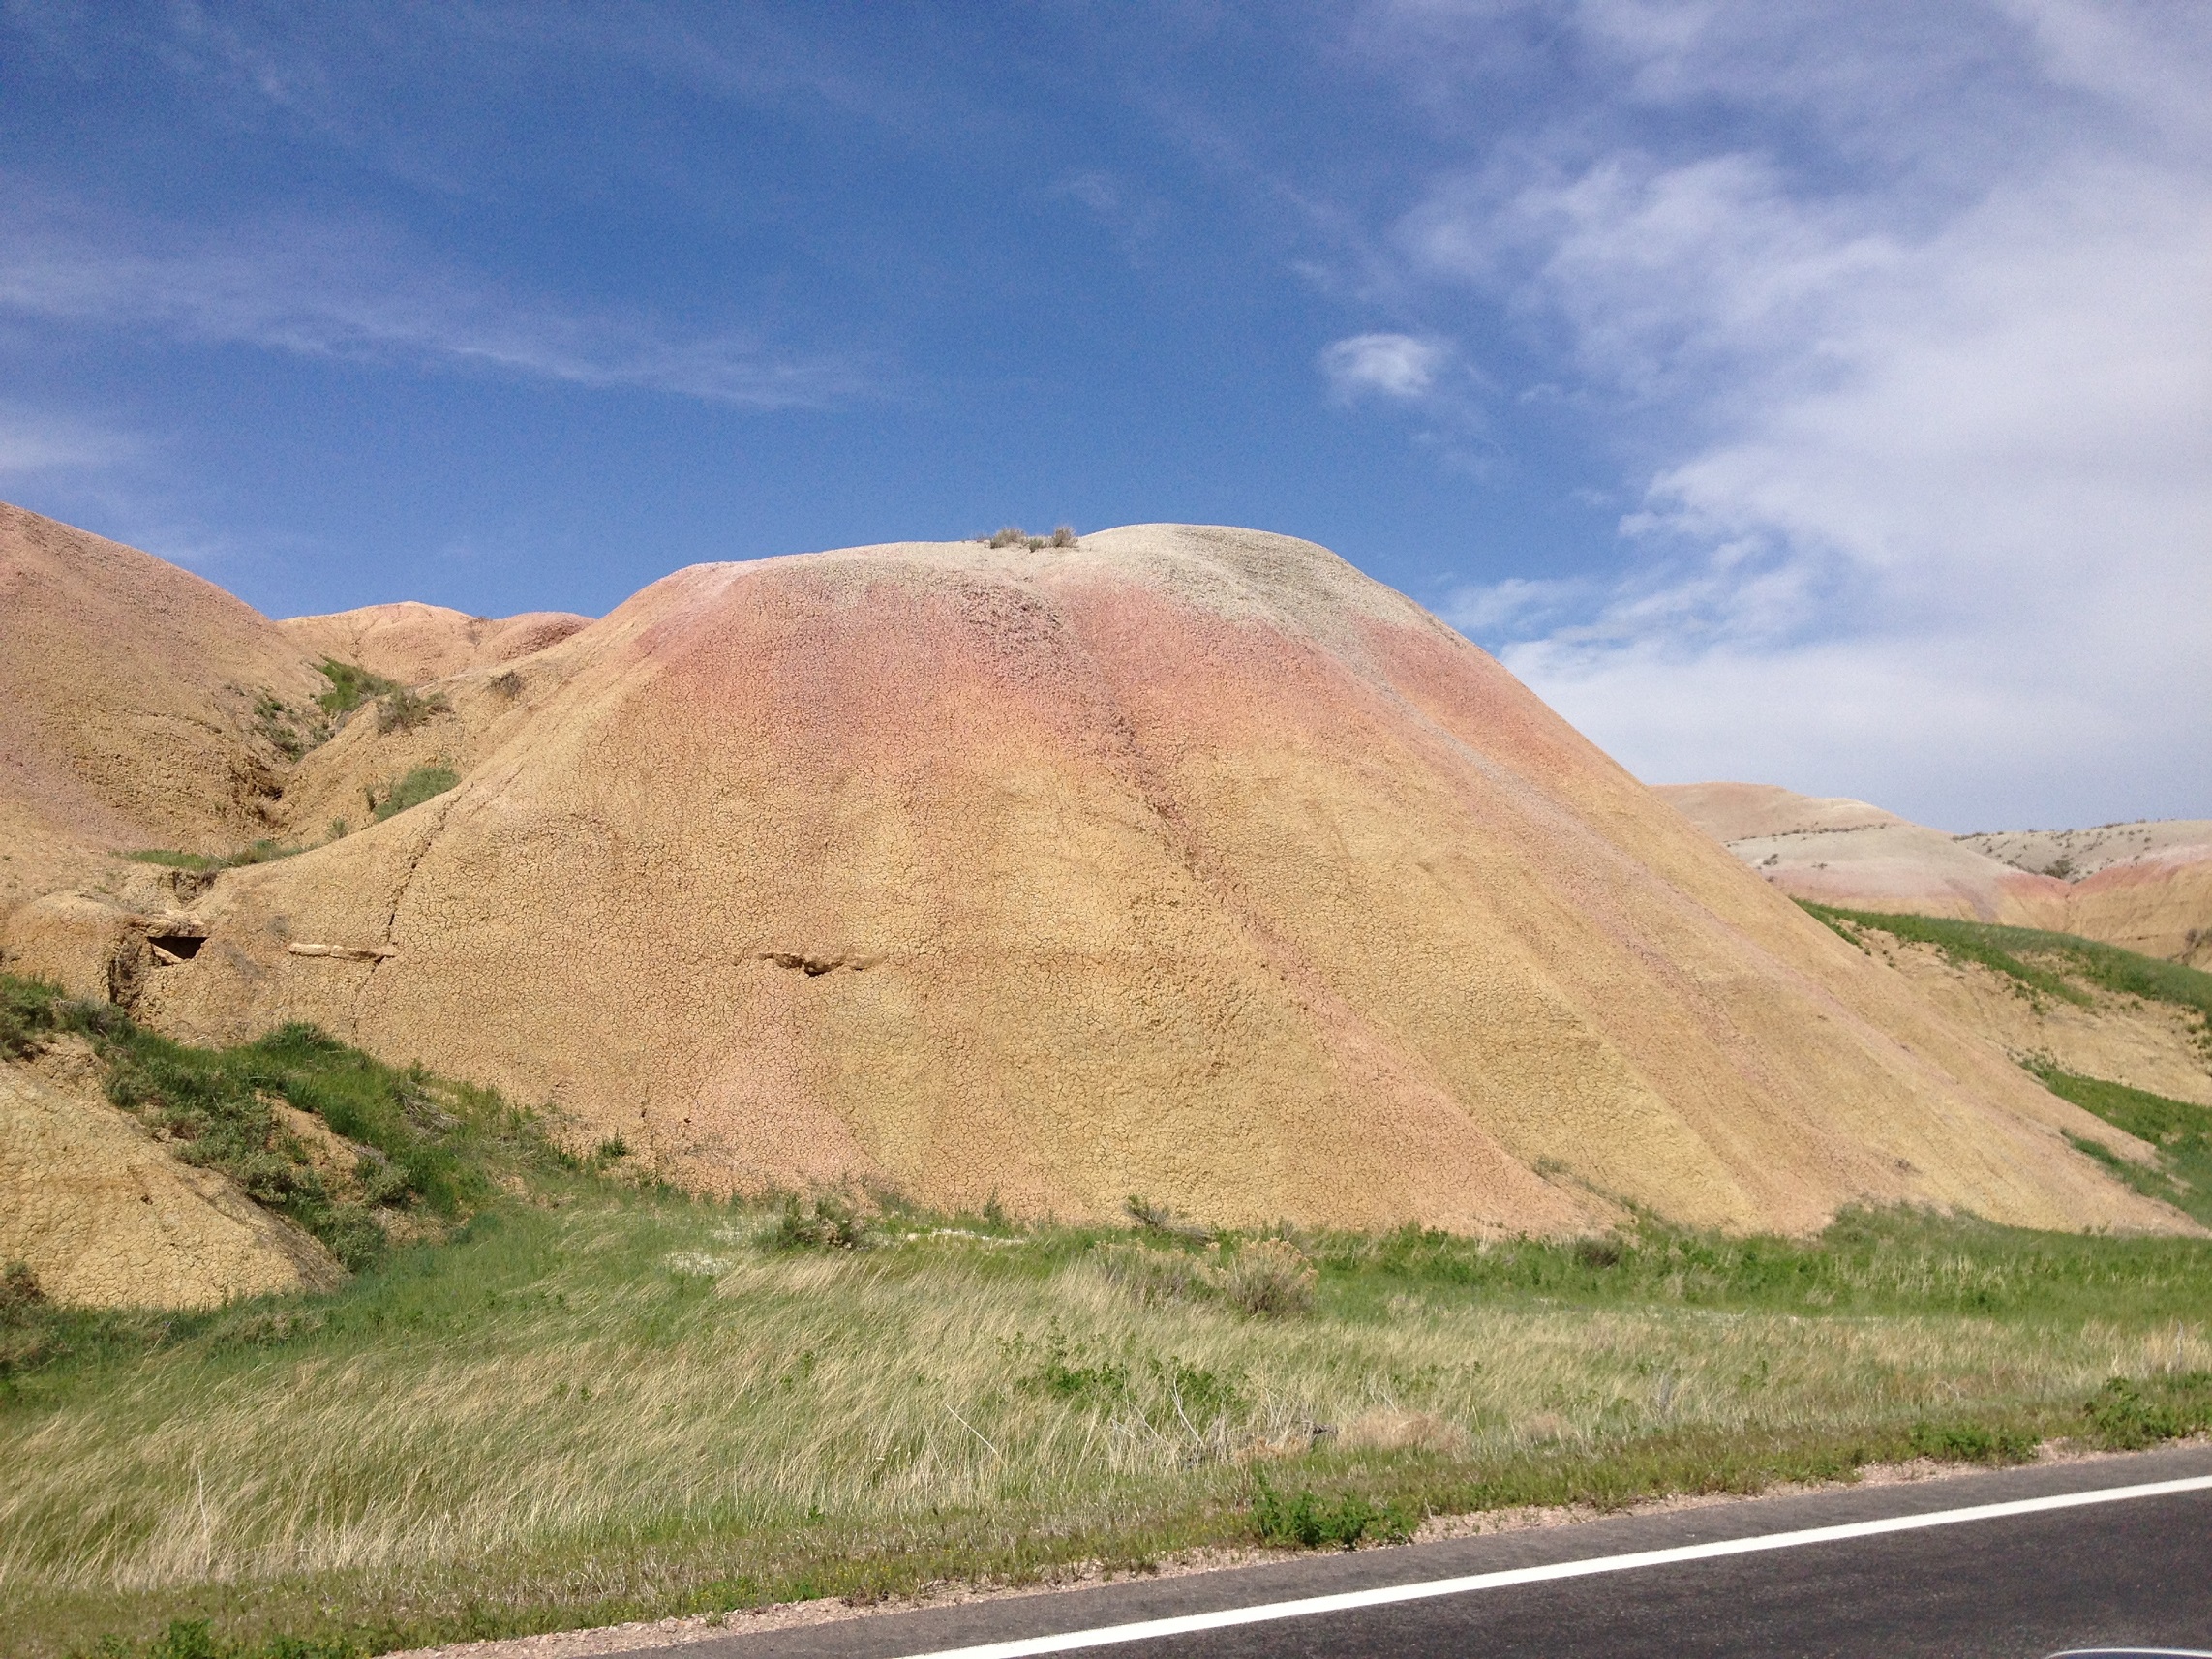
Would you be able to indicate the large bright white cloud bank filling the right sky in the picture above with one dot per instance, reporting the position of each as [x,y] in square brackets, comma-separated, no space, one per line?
[1932,517]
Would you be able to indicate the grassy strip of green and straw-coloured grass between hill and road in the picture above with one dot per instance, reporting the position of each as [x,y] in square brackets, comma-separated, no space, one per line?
[596,1401]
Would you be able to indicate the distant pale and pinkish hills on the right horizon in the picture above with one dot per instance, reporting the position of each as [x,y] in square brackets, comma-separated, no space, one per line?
[2145,886]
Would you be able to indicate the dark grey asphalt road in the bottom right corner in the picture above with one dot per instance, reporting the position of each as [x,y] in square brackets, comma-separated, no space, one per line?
[2012,1587]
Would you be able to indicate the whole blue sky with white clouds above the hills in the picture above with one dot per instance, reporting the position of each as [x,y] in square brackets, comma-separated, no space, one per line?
[1815,395]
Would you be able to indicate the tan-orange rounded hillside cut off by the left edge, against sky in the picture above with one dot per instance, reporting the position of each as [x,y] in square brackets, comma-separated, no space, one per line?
[132,702]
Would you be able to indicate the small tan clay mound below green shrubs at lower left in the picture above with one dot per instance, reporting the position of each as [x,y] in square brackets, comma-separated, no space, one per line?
[105,1218]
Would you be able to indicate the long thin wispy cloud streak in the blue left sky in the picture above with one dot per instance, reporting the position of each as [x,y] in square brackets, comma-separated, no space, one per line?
[364,293]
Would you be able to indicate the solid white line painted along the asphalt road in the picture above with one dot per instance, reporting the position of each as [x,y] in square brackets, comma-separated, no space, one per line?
[1388,1596]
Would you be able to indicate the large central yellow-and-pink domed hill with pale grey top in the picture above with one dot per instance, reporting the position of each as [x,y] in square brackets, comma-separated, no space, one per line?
[1182,862]
